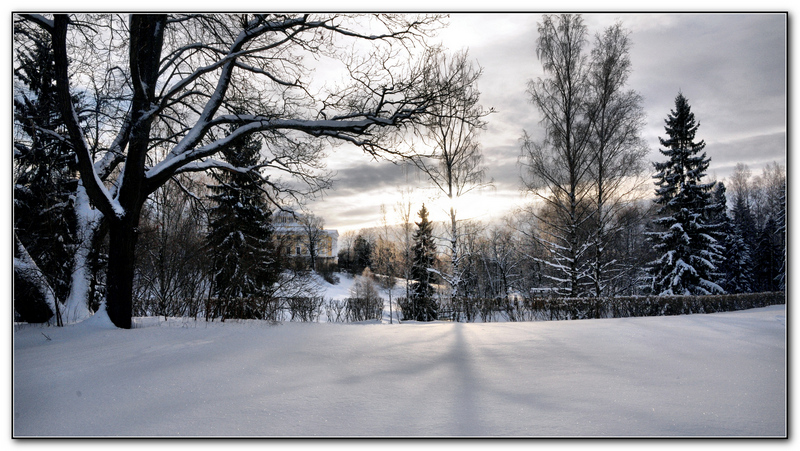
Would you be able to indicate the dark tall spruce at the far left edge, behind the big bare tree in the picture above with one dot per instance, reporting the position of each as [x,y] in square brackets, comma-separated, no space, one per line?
[44,174]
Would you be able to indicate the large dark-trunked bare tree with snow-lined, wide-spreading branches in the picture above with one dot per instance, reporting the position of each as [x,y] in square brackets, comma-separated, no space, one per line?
[179,82]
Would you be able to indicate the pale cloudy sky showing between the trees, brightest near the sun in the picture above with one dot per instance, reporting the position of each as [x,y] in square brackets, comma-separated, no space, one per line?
[731,67]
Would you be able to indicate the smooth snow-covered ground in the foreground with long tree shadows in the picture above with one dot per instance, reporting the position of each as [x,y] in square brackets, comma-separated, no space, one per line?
[699,375]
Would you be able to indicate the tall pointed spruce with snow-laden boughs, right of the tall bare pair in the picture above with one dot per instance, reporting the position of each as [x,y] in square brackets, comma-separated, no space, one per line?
[684,238]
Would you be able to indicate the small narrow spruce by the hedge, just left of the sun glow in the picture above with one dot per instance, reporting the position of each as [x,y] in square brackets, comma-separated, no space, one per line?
[424,307]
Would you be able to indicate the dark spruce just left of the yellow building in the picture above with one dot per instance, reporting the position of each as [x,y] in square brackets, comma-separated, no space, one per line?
[240,239]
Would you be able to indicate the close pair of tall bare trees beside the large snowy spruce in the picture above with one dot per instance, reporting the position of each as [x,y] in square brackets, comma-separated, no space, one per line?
[590,165]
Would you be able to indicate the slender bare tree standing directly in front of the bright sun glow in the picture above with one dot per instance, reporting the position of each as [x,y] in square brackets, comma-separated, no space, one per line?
[456,167]
